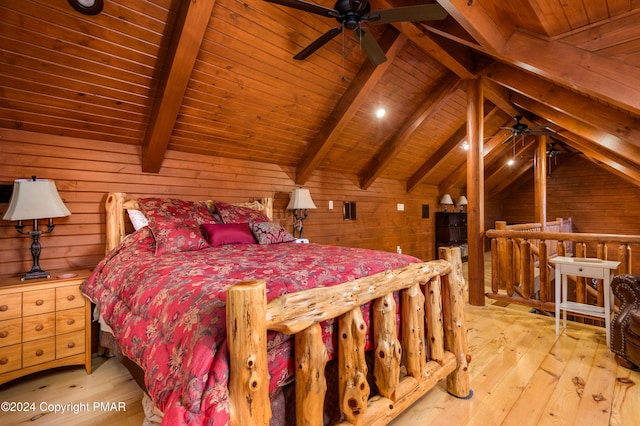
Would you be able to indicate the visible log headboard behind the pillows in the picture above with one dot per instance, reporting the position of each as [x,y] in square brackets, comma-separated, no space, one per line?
[117,205]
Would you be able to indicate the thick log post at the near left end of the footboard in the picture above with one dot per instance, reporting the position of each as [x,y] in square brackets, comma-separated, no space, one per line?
[247,341]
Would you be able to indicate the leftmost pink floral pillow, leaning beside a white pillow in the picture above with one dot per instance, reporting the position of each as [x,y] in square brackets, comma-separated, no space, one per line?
[176,223]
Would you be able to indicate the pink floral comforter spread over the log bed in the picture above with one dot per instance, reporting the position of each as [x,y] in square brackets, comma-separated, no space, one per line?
[168,312]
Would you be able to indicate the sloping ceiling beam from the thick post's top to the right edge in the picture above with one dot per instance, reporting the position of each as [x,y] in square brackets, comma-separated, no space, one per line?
[579,107]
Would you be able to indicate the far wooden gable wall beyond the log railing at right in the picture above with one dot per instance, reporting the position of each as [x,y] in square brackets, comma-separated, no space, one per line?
[597,201]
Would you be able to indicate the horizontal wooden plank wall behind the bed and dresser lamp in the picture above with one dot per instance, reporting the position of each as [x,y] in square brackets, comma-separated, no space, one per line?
[85,170]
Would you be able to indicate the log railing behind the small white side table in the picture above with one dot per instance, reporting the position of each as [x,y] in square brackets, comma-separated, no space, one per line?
[520,268]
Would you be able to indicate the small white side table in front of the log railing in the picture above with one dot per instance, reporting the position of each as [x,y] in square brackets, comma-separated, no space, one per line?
[589,268]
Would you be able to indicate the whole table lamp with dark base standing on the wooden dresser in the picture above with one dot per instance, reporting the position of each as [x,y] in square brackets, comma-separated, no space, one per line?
[32,200]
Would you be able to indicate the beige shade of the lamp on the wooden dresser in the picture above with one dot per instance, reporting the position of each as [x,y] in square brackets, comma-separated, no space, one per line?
[35,199]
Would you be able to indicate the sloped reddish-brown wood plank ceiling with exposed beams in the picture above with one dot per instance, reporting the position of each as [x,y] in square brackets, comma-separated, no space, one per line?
[217,77]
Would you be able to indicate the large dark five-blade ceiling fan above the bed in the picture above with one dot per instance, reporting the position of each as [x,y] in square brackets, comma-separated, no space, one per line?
[351,13]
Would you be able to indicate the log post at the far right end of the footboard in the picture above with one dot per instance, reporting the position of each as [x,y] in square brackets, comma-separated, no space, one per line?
[455,326]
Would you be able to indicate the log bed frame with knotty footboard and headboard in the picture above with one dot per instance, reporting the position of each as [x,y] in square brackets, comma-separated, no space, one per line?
[432,345]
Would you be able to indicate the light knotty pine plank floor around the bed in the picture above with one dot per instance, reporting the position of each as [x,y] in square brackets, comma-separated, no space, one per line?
[521,374]
